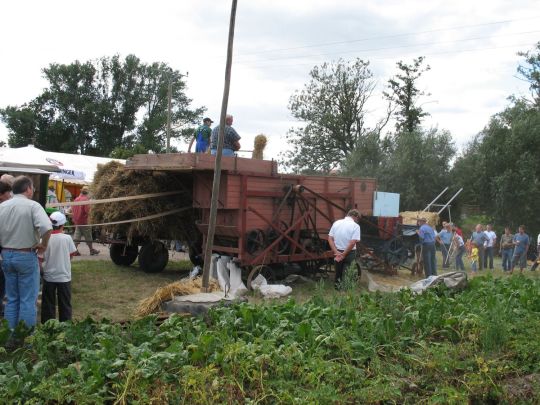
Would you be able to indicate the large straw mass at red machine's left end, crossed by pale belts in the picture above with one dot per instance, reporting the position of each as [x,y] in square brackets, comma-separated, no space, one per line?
[111,180]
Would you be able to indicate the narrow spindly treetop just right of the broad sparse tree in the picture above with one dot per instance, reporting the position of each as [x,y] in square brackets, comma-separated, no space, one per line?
[404,93]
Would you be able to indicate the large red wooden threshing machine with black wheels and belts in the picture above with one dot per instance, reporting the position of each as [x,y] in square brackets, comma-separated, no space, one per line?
[265,219]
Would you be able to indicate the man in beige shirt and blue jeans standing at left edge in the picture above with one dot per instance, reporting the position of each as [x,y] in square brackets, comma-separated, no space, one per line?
[25,230]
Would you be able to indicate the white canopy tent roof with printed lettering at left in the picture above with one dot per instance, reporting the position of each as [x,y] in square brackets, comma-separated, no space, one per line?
[79,168]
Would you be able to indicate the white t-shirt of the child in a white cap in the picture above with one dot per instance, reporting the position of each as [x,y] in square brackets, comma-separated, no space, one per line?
[57,262]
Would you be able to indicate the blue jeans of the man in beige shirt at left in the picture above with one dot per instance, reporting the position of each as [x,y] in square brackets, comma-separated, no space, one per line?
[21,271]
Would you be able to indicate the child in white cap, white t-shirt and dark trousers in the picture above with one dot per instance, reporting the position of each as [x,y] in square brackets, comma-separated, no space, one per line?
[57,272]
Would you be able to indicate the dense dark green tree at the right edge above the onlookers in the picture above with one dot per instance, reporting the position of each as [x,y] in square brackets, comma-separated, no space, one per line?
[500,169]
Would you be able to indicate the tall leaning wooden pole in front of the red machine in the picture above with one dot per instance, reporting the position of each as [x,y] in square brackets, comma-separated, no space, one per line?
[219,151]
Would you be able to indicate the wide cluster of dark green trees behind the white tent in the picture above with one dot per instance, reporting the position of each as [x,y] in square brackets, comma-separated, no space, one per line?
[95,107]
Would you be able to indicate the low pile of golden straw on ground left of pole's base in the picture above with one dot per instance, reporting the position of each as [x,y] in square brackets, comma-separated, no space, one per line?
[153,304]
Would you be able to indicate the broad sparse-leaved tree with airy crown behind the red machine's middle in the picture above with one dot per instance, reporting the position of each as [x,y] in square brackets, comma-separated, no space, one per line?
[333,108]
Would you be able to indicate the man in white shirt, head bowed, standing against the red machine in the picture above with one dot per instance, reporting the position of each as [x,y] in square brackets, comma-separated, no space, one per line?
[342,238]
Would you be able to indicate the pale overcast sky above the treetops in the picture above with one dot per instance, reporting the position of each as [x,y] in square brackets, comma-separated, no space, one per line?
[471,47]
